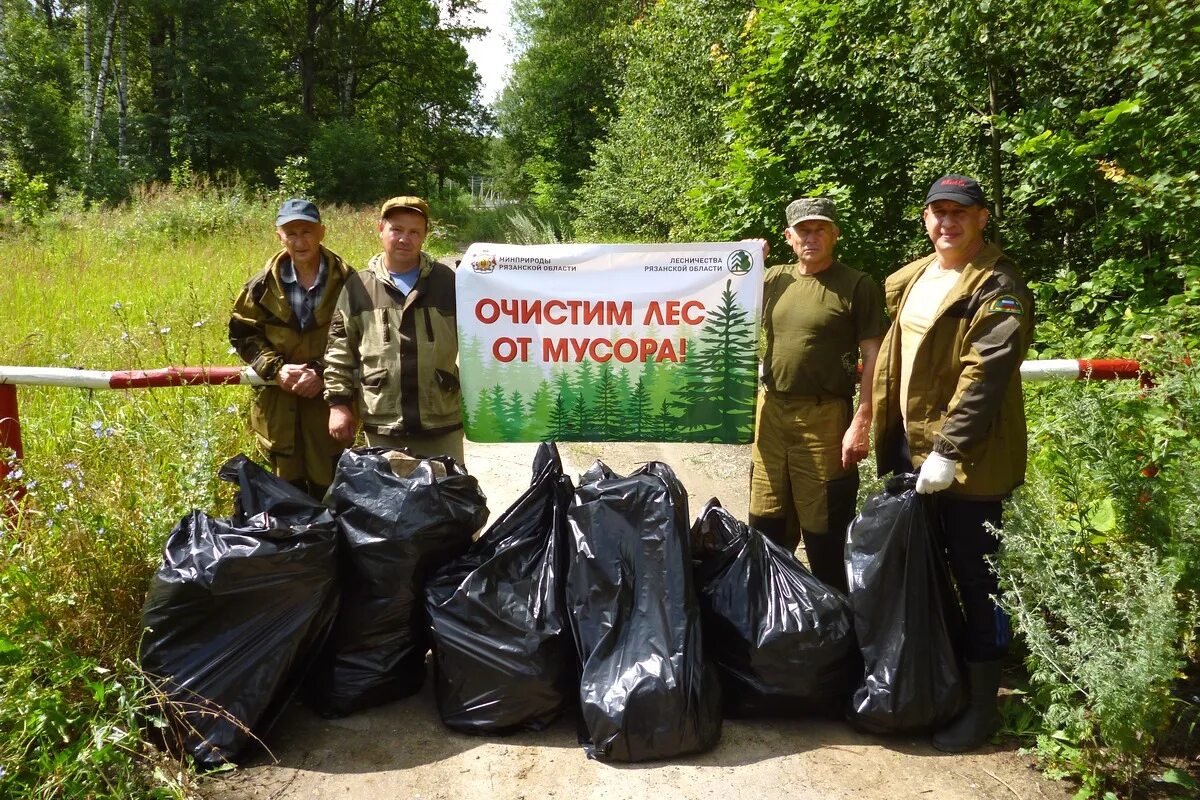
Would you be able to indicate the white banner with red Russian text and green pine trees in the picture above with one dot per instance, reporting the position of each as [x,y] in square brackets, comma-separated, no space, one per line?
[610,342]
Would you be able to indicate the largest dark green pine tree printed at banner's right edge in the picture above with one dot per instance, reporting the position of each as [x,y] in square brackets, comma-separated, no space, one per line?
[718,390]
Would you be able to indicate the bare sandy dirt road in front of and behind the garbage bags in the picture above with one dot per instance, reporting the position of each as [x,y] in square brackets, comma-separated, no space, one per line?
[403,750]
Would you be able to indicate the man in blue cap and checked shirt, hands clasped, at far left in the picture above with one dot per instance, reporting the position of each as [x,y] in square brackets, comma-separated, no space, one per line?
[279,327]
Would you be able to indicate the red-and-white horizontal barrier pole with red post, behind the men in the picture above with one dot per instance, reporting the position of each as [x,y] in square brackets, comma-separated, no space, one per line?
[13,377]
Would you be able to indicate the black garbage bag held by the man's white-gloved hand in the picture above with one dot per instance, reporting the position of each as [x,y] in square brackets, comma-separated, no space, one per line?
[907,616]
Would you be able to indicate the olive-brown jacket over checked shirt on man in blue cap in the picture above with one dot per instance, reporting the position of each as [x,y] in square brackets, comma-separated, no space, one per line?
[267,335]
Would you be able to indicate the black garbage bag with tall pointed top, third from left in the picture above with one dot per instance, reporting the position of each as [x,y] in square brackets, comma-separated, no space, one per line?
[503,655]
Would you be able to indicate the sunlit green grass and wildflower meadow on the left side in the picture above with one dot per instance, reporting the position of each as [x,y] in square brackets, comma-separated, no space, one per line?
[110,473]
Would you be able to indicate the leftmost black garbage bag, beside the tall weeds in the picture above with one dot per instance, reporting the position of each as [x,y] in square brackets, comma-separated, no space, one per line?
[238,611]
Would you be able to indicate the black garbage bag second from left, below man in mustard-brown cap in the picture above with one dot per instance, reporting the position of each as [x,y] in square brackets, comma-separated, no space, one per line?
[400,519]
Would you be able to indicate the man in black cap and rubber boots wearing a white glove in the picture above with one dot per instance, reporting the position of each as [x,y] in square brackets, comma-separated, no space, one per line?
[949,402]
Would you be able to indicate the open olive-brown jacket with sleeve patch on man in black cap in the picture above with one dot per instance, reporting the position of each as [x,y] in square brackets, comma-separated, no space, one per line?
[965,390]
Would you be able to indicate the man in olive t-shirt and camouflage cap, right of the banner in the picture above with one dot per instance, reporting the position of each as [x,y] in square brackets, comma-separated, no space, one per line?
[819,316]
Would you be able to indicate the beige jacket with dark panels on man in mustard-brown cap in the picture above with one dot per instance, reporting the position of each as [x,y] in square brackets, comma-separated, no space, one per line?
[394,356]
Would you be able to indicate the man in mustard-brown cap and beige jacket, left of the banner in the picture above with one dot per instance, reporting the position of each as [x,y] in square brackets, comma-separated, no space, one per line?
[394,345]
